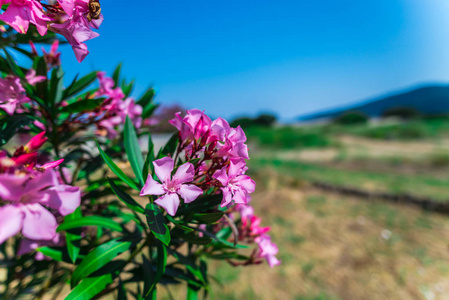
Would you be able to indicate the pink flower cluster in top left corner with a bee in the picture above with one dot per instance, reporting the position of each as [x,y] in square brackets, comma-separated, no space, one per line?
[74,19]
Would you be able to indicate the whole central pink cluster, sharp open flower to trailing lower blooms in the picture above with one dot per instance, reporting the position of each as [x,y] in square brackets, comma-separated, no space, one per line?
[220,152]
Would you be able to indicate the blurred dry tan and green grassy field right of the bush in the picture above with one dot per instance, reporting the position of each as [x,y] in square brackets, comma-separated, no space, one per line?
[337,247]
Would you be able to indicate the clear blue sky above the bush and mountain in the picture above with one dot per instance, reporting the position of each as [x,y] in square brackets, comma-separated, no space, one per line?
[292,57]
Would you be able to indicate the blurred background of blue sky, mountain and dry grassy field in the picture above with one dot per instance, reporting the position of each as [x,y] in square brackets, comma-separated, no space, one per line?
[346,109]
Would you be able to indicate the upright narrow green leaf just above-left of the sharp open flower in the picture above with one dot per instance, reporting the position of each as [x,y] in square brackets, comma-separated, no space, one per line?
[132,149]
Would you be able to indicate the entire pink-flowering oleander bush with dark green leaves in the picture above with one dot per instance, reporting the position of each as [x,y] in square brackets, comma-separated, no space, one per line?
[112,218]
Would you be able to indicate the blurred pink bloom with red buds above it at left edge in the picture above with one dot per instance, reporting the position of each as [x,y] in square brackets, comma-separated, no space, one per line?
[26,186]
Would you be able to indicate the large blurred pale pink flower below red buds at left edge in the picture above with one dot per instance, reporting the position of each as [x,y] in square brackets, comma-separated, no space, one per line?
[26,195]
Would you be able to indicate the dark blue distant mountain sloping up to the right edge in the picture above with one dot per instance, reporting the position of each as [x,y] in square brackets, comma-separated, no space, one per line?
[429,100]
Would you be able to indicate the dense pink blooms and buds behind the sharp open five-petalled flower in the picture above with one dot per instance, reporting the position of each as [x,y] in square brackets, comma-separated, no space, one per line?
[222,152]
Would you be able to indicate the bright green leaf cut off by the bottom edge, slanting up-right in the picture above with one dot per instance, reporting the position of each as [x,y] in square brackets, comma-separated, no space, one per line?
[90,287]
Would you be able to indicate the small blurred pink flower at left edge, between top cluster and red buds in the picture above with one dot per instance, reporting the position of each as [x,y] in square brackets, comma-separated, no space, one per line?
[11,94]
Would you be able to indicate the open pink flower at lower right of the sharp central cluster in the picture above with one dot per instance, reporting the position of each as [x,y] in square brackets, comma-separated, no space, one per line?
[236,185]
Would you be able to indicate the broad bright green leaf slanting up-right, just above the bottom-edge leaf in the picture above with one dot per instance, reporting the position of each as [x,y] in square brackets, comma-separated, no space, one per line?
[98,258]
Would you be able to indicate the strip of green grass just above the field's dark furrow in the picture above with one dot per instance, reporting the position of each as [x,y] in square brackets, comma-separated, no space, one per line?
[421,185]
